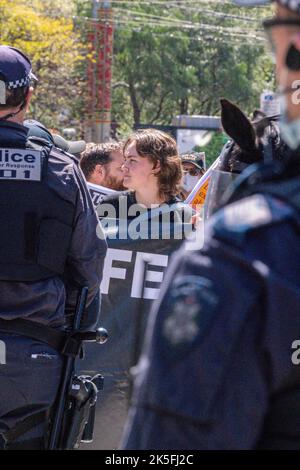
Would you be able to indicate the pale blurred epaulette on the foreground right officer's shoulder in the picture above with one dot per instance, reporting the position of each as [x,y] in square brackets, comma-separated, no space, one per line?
[234,221]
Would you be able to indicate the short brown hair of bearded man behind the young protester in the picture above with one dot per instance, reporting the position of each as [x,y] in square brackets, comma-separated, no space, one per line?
[97,154]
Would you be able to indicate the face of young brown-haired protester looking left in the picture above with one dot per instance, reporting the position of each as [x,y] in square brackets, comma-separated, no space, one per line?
[138,171]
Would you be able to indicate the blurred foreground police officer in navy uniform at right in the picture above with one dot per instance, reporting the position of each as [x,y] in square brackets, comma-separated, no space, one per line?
[221,362]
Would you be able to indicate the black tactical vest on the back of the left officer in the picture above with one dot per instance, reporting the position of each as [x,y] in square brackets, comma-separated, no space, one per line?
[35,225]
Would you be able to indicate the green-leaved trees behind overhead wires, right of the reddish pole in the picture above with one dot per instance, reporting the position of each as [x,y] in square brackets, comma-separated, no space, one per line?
[174,59]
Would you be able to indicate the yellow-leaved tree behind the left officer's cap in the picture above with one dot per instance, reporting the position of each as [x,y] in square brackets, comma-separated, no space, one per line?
[41,30]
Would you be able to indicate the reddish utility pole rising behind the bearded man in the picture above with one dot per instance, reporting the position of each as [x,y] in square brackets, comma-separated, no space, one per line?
[100,73]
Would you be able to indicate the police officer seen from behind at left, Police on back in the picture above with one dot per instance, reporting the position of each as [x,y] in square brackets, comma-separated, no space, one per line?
[51,246]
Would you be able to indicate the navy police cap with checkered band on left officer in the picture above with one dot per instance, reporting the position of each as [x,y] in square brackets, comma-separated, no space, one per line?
[15,68]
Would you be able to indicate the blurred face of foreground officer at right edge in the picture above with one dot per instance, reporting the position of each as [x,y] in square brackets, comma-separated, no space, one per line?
[281,38]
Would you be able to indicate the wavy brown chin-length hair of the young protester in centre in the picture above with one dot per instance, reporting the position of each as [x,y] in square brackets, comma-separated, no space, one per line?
[161,148]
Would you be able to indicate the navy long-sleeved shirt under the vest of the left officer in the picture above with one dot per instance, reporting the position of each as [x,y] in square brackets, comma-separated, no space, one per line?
[45,301]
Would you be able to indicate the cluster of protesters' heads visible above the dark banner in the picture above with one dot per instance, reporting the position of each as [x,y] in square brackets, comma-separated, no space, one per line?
[151,170]
